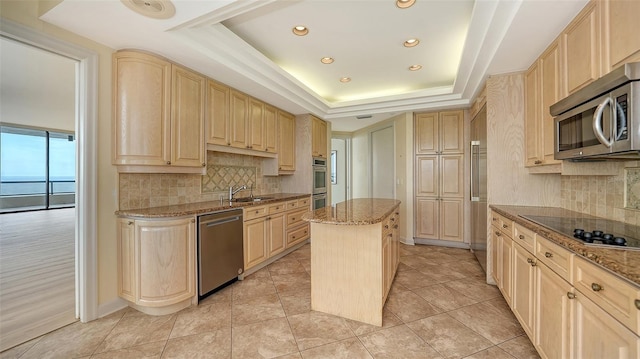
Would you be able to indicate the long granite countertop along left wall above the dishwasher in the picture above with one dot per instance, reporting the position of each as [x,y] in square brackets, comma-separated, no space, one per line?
[180,210]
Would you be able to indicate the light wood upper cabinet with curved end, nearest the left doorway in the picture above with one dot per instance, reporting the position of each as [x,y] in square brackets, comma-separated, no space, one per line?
[158,115]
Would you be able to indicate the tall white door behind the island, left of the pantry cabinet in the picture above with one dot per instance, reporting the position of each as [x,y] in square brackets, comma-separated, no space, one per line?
[383,163]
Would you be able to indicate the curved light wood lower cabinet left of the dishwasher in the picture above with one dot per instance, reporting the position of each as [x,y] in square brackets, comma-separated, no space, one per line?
[156,264]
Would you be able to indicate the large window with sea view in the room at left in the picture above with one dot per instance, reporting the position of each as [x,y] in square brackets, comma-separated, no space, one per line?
[37,169]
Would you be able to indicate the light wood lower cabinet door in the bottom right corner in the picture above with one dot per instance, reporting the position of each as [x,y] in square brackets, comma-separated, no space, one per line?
[598,335]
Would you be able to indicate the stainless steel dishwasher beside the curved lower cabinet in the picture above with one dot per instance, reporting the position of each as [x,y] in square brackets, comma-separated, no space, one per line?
[220,258]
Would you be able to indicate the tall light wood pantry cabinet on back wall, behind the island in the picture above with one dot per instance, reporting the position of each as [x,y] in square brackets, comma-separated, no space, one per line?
[439,171]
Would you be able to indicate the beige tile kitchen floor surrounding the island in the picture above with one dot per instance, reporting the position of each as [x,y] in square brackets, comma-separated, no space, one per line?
[438,307]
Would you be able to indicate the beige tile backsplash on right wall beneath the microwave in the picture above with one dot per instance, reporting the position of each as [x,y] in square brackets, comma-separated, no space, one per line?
[602,196]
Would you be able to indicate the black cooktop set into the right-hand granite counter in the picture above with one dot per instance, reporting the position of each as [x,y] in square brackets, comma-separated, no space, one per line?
[593,231]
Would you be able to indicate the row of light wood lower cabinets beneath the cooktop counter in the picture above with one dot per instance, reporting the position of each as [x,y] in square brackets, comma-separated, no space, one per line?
[569,307]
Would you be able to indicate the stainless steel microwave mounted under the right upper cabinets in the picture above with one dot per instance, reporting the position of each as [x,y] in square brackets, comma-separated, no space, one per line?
[601,120]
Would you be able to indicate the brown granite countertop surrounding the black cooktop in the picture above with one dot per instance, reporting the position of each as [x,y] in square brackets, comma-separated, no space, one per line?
[624,262]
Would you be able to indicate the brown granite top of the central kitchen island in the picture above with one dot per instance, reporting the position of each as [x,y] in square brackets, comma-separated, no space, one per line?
[360,211]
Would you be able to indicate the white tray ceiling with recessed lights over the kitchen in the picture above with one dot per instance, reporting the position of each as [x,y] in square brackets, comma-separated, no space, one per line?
[250,45]
